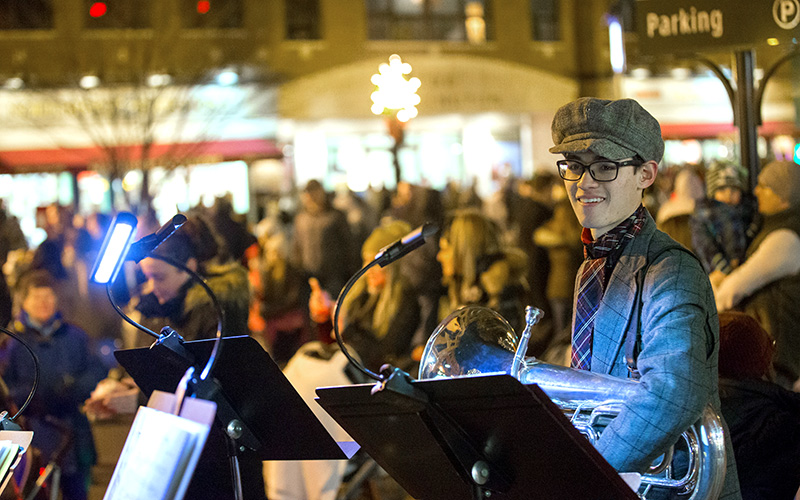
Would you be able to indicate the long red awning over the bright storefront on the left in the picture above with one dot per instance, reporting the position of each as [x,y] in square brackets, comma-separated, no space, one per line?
[37,160]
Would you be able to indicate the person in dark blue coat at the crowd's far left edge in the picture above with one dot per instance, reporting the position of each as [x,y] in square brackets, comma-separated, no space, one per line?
[68,373]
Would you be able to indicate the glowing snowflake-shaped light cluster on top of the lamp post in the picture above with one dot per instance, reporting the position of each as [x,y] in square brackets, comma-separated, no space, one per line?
[395,93]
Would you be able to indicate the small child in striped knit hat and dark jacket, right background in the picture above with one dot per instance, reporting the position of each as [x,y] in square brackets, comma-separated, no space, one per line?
[723,225]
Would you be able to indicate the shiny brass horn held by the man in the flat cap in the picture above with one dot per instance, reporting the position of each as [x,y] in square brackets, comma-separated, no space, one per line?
[474,340]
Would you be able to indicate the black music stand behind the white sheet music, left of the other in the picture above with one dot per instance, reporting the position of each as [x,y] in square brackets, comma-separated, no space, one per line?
[272,418]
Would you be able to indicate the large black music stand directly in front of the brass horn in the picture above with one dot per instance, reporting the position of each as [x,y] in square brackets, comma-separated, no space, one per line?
[509,437]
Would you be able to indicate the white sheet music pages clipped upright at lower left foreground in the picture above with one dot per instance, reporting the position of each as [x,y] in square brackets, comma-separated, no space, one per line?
[159,449]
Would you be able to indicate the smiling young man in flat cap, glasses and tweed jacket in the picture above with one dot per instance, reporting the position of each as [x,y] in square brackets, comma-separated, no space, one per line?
[644,307]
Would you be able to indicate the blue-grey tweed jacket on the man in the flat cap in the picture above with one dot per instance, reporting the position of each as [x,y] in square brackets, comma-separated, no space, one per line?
[679,351]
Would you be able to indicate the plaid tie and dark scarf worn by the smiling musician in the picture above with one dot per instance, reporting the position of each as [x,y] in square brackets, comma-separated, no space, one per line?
[601,257]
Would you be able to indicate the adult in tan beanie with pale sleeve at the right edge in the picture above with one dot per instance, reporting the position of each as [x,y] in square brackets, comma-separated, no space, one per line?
[767,284]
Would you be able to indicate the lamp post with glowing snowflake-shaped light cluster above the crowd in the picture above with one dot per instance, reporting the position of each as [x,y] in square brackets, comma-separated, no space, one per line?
[396,98]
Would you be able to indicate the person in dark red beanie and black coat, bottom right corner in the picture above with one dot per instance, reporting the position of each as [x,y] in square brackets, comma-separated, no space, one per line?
[761,415]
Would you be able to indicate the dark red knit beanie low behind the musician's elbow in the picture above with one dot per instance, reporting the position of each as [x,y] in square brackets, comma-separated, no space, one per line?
[745,348]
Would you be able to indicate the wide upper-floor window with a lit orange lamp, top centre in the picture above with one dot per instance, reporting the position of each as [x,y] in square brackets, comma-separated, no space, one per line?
[423,19]
